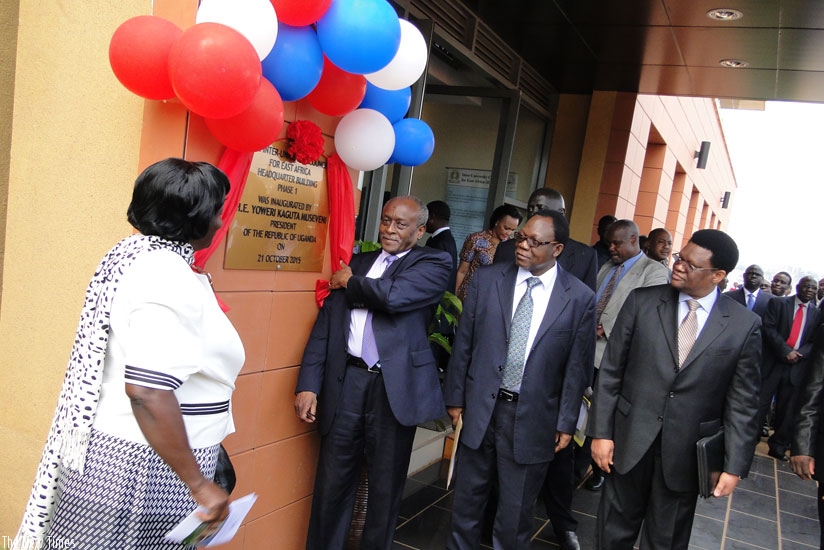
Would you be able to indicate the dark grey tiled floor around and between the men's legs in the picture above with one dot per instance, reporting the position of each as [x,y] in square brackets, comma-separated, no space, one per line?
[772,509]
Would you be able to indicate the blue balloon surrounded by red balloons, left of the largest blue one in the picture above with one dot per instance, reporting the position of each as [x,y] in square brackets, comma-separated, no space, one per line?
[295,63]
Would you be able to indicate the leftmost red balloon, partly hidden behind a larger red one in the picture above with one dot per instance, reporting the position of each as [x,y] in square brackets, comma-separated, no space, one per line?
[139,55]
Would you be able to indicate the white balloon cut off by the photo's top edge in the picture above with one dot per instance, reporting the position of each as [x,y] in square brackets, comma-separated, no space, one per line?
[254,19]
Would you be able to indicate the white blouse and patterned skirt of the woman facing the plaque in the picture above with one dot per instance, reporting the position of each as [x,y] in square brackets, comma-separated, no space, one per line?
[166,332]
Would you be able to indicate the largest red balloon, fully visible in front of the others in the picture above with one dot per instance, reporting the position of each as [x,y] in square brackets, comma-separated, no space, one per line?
[215,70]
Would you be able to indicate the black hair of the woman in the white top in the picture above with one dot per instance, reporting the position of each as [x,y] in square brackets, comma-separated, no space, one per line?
[177,199]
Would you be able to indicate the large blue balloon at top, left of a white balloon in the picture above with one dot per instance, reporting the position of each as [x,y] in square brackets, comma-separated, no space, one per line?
[360,36]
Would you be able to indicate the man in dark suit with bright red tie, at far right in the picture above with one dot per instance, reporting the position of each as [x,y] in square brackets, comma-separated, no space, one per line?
[789,326]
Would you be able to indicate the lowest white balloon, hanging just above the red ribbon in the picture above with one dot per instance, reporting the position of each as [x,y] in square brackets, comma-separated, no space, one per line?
[364,139]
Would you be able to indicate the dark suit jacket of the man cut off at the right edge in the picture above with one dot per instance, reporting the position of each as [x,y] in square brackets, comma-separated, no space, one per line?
[808,436]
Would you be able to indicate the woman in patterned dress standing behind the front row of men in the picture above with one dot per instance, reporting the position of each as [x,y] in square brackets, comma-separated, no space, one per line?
[479,248]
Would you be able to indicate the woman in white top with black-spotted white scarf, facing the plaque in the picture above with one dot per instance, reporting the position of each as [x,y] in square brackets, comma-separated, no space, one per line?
[146,398]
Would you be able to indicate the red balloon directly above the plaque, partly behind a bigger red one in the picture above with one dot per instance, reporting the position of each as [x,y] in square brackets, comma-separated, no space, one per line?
[256,127]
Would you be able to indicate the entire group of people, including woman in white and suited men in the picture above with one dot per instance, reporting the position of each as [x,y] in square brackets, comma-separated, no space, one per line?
[646,336]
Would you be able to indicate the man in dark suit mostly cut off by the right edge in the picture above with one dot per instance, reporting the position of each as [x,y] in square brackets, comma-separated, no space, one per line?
[808,436]
